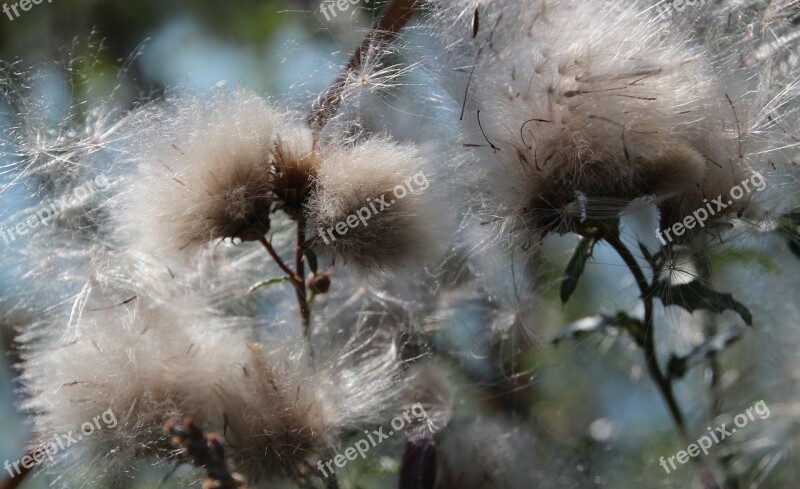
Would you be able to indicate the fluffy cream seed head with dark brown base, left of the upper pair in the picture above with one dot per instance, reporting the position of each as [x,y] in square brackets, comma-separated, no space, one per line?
[209,170]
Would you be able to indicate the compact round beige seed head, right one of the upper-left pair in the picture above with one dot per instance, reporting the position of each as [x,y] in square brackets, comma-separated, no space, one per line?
[372,205]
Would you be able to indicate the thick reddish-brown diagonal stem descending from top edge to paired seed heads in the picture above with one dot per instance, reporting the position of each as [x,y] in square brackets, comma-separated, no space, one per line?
[394,17]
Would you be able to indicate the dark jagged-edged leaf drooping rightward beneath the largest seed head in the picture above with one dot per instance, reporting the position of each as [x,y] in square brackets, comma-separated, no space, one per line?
[694,295]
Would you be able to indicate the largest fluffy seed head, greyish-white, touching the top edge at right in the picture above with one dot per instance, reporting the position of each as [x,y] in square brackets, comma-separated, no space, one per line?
[566,101]
